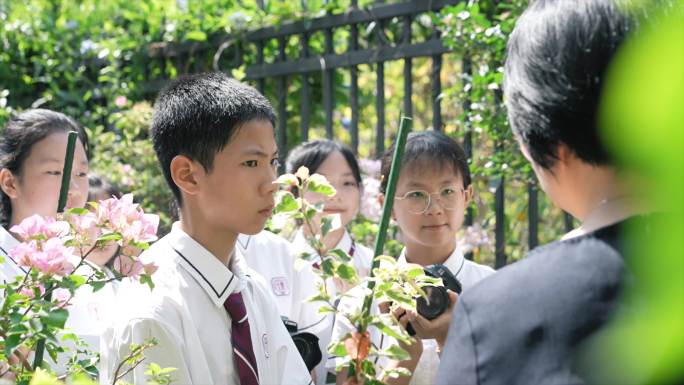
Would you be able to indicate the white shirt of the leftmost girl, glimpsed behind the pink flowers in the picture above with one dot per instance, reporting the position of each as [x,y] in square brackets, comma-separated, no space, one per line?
[88,310]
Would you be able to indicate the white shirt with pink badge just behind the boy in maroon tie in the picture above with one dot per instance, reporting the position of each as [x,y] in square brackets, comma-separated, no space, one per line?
[270,255]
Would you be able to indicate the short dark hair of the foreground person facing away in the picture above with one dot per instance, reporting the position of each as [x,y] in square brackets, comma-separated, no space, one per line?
[556,63]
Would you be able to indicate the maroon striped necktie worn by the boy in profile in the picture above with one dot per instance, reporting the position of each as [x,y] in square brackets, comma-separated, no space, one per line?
[243,353]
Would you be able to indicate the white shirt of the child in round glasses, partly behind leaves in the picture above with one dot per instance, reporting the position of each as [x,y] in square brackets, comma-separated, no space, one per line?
[467,272]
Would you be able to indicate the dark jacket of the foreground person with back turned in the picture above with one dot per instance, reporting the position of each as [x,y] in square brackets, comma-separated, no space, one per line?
[524,324]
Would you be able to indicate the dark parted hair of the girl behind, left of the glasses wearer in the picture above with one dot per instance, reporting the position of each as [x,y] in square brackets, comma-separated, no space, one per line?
[312,154]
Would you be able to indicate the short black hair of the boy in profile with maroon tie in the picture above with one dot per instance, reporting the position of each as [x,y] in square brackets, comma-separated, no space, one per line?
[197,115]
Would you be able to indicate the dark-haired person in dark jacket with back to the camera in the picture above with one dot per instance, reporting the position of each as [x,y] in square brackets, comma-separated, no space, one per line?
[527,324]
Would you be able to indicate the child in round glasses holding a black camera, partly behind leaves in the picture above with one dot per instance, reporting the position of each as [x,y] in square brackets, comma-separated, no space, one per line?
[432,194]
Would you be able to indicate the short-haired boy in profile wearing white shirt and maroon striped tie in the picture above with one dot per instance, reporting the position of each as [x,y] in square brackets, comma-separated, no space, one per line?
[215,321]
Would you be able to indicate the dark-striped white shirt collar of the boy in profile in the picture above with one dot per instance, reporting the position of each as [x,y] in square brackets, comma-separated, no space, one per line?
[217,279]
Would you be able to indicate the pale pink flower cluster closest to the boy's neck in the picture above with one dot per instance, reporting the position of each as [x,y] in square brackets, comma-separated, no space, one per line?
[127,218]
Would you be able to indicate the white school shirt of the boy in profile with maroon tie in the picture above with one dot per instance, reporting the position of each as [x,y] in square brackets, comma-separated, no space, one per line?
[185,314]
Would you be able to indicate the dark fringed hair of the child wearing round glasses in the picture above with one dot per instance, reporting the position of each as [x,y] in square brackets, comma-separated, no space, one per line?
[428,149]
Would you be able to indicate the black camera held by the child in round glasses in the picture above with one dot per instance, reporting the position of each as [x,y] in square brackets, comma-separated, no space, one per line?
[437,297]
